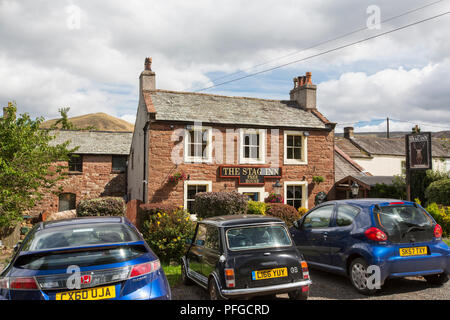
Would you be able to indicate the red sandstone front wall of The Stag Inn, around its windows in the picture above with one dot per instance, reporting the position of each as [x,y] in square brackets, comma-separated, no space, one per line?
[161,145]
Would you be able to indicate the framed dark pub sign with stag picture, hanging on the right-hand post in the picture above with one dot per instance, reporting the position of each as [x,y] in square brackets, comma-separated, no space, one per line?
[418,151]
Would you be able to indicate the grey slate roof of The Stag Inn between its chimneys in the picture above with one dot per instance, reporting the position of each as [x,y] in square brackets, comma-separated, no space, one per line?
[208,108]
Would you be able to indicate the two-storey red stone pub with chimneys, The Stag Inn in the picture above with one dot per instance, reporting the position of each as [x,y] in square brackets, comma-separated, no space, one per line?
[220,143]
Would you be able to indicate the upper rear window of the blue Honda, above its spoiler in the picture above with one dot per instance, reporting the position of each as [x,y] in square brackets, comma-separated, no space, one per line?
[79,235]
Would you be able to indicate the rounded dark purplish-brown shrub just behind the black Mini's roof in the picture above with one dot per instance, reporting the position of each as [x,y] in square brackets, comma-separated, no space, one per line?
[211,204]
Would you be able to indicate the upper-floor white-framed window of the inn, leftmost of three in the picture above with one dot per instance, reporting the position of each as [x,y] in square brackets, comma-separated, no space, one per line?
[197,144]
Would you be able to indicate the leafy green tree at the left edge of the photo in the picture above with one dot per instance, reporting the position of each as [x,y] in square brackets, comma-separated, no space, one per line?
[27,164]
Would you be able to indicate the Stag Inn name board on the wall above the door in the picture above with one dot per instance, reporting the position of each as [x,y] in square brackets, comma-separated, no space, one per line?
[249,175]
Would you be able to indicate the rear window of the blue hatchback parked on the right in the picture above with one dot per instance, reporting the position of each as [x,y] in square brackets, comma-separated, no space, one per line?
[404,223]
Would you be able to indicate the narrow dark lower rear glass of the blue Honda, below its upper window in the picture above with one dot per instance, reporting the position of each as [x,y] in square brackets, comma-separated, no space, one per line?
[79,257]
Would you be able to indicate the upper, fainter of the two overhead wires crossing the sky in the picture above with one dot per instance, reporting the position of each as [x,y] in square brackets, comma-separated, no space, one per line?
[325,41]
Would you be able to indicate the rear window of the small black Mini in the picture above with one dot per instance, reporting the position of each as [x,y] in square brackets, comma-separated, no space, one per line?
[257,237]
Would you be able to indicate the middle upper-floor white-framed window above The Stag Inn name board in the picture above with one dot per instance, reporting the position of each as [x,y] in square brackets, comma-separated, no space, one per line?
[252,146]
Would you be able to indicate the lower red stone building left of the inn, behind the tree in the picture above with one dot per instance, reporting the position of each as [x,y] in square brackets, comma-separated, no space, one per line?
[97,169]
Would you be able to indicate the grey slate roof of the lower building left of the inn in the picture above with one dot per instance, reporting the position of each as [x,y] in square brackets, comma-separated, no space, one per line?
[95,142]
